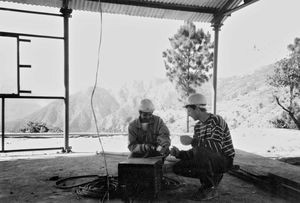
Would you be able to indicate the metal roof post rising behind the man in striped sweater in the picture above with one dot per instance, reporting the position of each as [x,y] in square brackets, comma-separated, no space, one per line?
[216,28]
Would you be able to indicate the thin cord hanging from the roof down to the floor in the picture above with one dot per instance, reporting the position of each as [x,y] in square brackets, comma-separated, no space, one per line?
[92,105]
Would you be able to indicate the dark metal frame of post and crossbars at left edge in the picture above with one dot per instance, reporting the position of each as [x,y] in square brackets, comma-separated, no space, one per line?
[65,14]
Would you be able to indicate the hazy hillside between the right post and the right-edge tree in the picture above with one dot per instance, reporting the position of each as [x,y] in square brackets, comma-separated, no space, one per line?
[247,101]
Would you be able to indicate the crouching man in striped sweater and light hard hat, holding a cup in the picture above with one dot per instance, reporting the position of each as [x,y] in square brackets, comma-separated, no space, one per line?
[212,151]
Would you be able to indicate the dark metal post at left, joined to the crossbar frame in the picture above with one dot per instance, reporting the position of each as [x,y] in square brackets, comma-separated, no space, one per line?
[66,13]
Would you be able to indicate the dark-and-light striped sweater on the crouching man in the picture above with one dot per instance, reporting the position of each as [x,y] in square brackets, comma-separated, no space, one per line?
[214,134]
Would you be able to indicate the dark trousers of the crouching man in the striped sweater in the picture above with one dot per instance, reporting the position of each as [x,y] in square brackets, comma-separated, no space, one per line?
[205,165]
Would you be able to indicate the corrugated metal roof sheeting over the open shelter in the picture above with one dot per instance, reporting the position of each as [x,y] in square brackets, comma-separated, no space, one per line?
[190,10]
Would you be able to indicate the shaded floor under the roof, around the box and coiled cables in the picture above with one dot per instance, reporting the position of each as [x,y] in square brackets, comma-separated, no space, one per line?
[28,180]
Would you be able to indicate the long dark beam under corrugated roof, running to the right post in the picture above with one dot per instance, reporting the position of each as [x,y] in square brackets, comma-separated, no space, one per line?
[161,5]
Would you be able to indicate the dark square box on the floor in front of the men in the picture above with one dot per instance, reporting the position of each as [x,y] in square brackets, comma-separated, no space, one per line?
[140,177]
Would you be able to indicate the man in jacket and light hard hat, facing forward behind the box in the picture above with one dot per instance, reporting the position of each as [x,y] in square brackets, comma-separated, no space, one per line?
[148,135]
